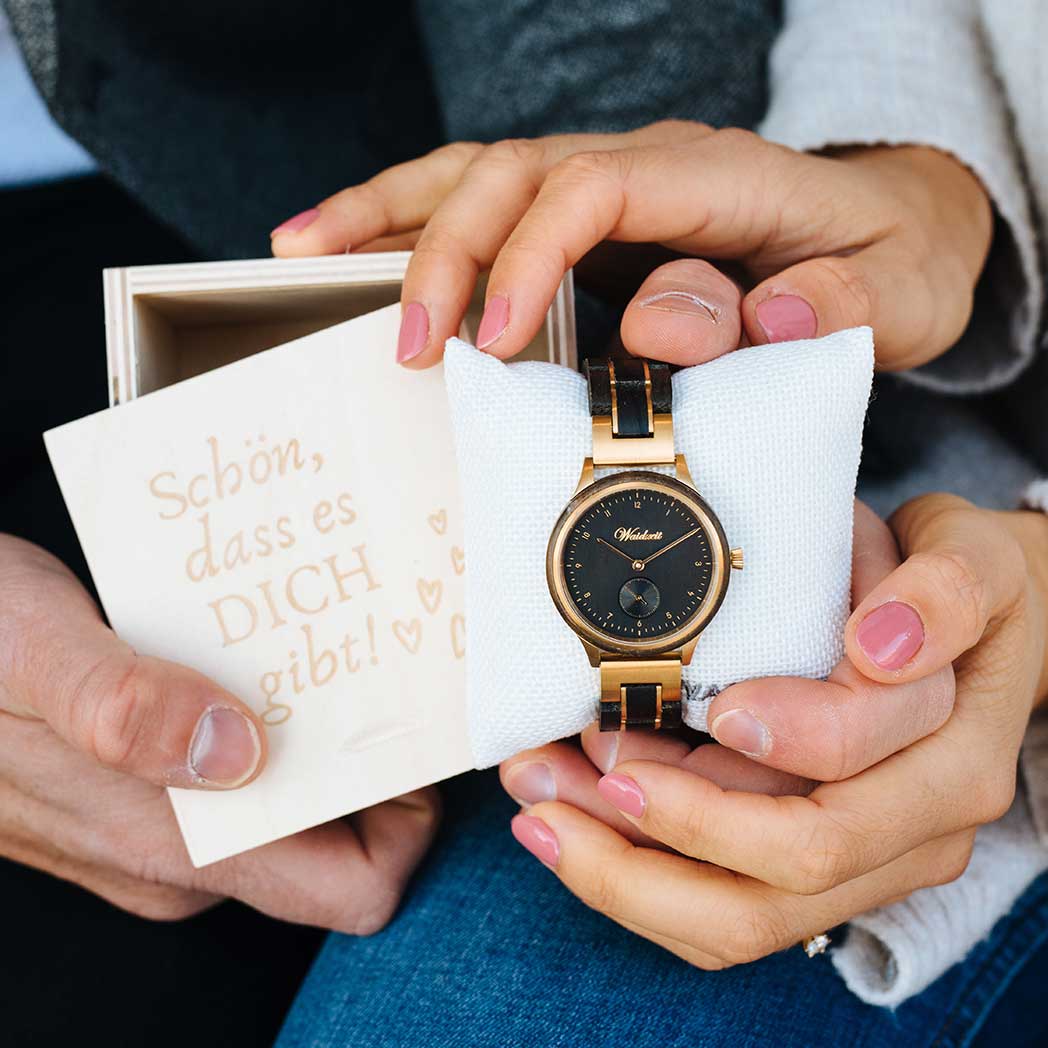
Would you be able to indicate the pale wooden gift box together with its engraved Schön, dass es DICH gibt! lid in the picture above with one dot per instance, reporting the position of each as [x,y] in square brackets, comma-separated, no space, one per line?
[288,522]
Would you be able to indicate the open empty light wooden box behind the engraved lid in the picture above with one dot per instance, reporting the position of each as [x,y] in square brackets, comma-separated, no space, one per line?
[167,323]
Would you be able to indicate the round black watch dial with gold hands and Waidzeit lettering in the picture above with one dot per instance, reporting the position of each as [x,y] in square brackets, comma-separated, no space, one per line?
[638,564]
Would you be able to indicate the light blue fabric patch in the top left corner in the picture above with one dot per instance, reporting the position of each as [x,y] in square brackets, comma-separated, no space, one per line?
[33,148]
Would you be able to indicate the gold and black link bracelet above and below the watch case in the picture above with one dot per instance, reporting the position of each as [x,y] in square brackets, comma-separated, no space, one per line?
[631,405]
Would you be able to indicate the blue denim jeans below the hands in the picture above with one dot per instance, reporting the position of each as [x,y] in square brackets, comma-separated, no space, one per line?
[490,950]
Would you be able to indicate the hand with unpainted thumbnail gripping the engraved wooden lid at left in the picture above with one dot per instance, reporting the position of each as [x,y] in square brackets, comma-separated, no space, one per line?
[91,734]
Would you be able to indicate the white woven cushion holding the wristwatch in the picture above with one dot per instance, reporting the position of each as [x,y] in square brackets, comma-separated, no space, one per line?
[773,436]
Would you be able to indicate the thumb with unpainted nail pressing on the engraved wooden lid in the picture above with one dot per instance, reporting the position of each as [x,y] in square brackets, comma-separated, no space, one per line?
[149,718]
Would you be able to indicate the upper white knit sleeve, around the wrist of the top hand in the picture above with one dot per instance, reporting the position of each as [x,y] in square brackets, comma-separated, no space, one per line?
[921,73]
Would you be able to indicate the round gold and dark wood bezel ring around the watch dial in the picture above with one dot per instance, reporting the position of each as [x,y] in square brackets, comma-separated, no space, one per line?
[595,493]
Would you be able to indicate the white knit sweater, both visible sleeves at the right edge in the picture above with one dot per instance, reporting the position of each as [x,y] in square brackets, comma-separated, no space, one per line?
[968,77]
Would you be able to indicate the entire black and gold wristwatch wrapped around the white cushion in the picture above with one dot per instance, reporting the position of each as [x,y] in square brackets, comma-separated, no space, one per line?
[638,564]
